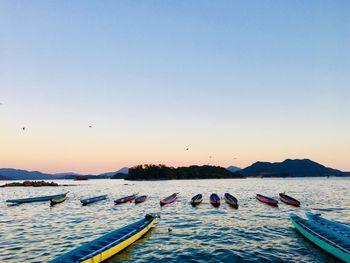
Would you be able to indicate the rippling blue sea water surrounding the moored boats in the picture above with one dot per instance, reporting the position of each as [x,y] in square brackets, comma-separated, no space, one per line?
[255,232]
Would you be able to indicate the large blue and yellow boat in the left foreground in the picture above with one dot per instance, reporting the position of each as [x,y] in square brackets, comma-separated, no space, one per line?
[109,244]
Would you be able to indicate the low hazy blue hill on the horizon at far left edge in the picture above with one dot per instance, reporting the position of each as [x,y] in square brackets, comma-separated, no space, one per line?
[16,174]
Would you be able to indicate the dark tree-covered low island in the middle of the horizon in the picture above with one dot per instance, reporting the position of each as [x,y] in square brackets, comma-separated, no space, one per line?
[149,172]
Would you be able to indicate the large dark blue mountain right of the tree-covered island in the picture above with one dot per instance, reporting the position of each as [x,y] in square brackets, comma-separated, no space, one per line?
[290,168]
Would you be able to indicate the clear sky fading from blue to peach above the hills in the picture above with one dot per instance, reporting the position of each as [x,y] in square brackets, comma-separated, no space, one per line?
[234,81]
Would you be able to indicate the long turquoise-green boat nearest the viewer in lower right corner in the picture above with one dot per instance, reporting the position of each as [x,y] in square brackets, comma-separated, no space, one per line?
[327,239]
